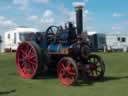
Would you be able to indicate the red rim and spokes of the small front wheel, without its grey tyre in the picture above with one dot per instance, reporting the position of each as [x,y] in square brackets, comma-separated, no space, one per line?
[66,72]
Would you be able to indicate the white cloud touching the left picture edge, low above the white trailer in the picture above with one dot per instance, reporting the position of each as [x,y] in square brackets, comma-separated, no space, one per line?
[6,23]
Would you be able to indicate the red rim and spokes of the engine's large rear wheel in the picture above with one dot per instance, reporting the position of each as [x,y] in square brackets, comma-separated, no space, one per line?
[26,60]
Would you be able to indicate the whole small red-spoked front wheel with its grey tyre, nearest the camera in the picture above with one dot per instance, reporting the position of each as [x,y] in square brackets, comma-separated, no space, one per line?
[67,71]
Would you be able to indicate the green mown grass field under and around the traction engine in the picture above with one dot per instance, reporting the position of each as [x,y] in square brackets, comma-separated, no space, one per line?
[114,84]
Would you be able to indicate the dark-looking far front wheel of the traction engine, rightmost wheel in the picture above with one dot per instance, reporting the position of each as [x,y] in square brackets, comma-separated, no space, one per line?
[95,67]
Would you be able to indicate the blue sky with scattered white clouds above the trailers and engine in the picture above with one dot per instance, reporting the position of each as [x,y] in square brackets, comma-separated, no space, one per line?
[99,15]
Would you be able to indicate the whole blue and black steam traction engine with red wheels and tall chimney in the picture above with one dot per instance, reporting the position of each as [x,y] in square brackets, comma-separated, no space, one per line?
[64,49]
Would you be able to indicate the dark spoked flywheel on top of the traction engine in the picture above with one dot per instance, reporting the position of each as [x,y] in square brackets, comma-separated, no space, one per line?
[51,33]
